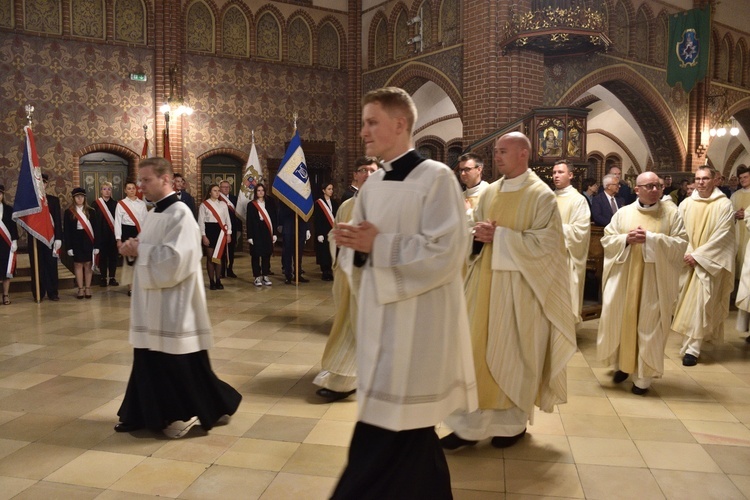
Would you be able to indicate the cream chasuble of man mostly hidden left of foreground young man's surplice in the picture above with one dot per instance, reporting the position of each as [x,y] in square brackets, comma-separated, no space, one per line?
[339,362]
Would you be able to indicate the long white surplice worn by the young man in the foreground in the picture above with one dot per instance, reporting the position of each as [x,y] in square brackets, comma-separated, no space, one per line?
[414,364]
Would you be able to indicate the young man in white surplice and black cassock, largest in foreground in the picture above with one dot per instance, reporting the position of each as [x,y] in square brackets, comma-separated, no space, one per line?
[403,252]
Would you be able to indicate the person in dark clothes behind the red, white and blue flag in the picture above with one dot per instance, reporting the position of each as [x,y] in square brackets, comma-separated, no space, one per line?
[48,258]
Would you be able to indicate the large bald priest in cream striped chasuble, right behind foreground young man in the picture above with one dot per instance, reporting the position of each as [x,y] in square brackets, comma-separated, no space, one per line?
[522,322]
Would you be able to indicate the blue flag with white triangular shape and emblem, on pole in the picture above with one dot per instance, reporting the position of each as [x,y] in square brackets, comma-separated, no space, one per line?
[292,184]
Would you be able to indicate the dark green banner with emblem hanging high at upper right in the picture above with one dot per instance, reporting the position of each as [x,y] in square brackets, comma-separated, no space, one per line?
[688,47]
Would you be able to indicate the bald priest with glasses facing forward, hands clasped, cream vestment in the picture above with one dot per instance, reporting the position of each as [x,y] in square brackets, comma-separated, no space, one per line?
[644,245]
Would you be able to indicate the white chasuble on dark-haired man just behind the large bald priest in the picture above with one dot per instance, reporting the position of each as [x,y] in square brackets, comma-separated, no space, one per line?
[576,219]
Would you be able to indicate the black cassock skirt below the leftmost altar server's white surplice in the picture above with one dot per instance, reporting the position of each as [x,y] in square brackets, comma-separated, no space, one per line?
[164,388]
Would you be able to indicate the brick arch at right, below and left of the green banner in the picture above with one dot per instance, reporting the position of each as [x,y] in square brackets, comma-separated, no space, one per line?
[647,106]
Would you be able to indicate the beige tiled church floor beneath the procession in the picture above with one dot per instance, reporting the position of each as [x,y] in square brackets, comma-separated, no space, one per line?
[63,368]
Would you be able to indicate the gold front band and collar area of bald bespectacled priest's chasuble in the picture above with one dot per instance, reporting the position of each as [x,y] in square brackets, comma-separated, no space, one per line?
[650,221]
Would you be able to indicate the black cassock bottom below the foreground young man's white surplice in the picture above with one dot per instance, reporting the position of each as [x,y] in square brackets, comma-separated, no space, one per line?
[394,465]
